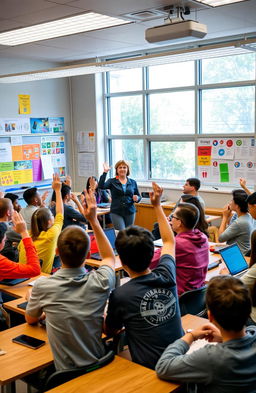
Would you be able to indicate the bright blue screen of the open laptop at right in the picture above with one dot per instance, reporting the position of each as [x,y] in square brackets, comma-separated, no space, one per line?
[234,260]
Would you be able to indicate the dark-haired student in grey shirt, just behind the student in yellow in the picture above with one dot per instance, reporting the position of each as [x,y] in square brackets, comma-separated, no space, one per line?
[34,201]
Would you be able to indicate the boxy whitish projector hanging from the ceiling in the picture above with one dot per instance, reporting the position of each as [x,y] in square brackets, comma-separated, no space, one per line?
[173,30]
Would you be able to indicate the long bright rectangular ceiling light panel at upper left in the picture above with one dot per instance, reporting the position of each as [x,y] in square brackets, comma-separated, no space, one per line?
[59,28]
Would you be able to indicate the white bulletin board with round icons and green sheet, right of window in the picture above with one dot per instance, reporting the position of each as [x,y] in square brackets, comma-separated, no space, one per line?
[225,160]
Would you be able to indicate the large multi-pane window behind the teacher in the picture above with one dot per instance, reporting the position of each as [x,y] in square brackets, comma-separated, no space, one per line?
[155,115]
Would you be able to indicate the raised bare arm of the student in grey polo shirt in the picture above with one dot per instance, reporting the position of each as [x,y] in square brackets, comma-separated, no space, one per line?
[105,249]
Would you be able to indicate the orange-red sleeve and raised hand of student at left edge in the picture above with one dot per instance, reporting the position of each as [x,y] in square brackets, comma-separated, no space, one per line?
[10,269]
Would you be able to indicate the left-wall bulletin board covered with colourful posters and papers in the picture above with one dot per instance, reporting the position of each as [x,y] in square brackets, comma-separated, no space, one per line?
[31,150]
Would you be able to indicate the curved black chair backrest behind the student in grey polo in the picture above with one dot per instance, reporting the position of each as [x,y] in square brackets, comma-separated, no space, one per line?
[60,377]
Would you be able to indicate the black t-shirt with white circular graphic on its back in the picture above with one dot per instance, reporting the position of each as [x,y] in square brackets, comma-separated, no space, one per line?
[148,308]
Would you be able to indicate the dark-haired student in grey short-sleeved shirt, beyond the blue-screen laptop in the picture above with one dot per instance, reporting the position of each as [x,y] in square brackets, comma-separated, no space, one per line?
[239,230]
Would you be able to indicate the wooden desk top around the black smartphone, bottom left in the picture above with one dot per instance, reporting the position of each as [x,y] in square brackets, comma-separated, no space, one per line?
[19,360]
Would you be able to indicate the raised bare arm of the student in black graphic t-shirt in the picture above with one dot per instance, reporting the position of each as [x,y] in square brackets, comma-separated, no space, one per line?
[164,226]
